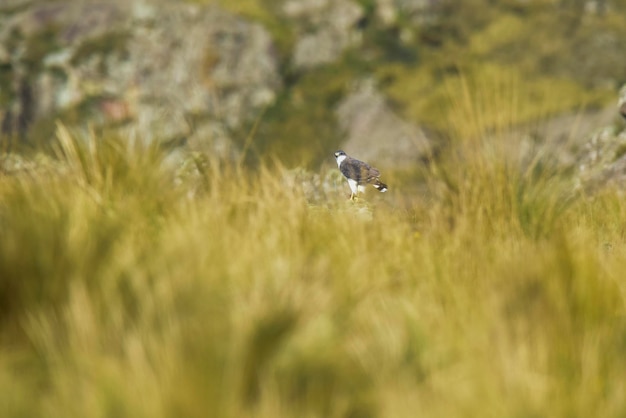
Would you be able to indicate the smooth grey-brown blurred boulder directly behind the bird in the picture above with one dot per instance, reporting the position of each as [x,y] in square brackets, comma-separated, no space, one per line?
[375,133]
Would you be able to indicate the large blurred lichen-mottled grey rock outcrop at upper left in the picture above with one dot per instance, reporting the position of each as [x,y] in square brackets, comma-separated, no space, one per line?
[163,71]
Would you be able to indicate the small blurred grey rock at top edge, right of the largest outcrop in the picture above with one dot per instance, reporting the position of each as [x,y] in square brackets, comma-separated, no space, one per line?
[326,29]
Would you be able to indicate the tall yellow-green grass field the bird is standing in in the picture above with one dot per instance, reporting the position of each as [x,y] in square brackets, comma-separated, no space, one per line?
[132,287]
